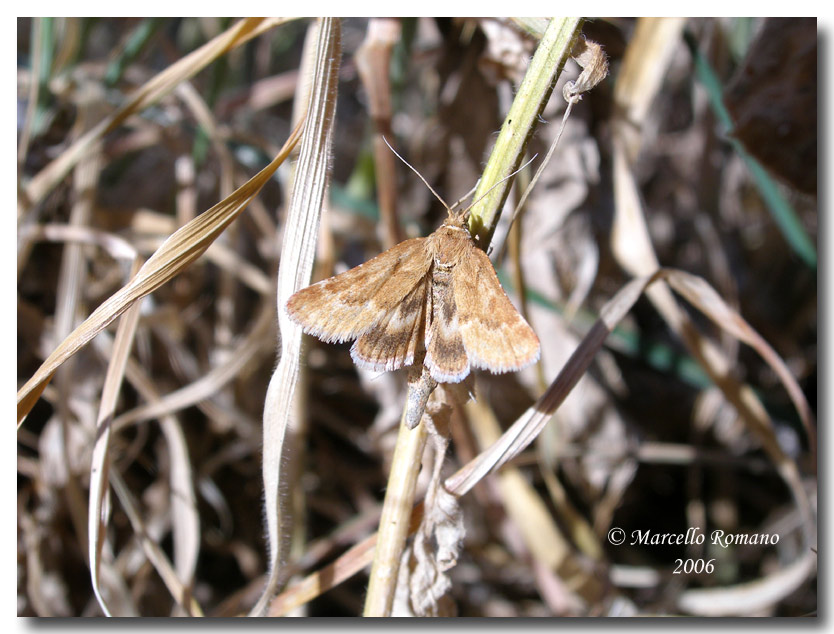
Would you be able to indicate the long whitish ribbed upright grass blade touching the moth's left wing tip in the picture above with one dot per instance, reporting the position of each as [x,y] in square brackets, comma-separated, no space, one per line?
[297,253]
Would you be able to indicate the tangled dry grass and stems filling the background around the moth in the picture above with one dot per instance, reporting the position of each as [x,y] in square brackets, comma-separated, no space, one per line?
[144,464]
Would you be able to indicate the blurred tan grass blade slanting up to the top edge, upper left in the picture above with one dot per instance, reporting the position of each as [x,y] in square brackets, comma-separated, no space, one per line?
[163,83]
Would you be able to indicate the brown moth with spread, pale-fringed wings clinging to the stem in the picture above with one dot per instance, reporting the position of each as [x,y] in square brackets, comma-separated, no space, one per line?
[434,301]
